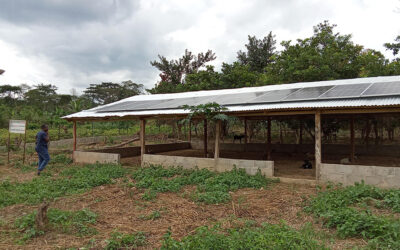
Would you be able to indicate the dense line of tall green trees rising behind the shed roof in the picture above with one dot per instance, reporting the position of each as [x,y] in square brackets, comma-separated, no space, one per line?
[326,55]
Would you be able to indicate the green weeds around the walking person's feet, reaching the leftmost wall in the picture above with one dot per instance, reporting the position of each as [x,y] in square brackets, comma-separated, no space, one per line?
[75,179]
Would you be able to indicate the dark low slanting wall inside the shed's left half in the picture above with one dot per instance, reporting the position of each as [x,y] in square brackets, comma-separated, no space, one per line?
[150,149]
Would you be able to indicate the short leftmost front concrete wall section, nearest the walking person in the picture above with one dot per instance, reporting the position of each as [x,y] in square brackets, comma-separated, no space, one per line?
[94,157]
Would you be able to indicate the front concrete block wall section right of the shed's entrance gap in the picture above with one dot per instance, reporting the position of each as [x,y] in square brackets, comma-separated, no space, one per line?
[385,177]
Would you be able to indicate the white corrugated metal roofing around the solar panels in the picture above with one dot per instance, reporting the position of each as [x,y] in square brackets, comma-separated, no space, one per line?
[353,102]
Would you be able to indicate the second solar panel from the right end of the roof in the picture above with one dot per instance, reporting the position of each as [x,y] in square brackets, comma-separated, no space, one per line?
[343,91]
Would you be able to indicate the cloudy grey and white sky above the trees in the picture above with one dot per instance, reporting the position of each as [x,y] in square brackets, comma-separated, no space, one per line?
[73,43]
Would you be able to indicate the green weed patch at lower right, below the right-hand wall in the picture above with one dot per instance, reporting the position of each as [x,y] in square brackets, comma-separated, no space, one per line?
[347,210]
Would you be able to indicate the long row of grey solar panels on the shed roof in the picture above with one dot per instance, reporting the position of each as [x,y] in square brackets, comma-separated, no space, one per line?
[272,96]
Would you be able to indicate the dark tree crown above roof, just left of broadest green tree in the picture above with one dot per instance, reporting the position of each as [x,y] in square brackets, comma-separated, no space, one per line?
[259,52]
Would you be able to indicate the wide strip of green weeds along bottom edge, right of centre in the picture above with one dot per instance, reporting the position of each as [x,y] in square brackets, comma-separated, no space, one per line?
[267,236]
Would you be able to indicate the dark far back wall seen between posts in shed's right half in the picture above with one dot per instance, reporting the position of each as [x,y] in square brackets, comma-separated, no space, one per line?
[341,149]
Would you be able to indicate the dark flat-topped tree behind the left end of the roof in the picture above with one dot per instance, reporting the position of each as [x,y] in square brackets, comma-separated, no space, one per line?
[108,92]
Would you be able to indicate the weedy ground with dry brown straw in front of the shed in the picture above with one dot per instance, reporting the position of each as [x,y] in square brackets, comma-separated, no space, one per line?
[125,207]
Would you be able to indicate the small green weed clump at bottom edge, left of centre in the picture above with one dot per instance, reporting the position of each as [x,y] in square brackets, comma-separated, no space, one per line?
[126,241]
